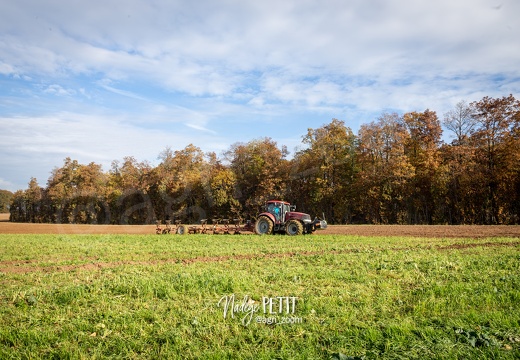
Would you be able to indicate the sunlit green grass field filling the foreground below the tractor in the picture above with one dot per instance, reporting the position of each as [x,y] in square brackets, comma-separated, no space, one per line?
[124,296]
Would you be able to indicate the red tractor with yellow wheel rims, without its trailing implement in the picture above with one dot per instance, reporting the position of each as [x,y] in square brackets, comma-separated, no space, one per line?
[281,217]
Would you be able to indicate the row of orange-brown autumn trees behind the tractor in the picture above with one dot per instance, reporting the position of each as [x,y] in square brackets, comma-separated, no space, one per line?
[396,170]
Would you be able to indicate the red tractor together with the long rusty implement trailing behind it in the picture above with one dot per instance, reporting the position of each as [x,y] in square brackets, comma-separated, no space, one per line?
[279,217]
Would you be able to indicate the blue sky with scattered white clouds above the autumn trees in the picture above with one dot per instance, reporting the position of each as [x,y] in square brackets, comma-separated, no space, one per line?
[100,80]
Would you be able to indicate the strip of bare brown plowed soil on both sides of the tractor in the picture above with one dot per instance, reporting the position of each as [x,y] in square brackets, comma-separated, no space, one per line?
[445,231]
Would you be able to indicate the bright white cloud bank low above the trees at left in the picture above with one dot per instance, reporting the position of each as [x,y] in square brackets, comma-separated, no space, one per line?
[38,144]
